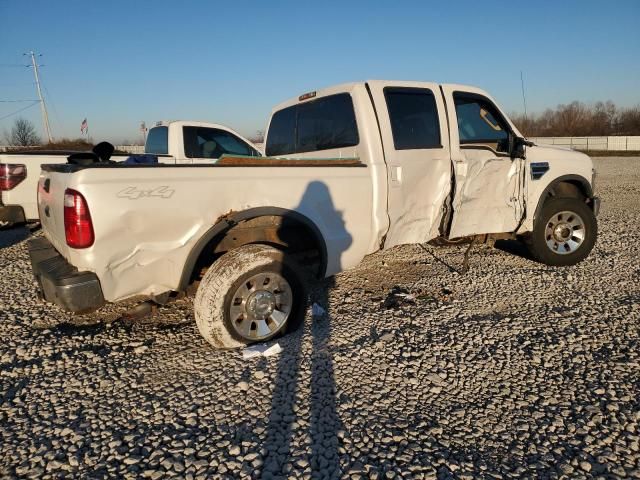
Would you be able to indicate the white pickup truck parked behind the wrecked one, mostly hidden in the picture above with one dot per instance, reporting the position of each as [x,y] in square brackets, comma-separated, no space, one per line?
[172,142]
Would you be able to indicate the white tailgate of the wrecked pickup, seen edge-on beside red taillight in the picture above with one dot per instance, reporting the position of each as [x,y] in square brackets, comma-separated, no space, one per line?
[51,187]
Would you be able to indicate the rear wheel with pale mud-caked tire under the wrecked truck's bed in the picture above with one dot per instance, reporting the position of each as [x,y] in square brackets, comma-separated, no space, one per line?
[217,294]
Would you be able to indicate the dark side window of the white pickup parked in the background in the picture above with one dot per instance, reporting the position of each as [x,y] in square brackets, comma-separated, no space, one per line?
[201,142]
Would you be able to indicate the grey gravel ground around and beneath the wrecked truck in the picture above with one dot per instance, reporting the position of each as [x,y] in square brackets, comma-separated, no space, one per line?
[511,370]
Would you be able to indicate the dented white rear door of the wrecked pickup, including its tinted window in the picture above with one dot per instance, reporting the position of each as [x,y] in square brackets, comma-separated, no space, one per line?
[413,129]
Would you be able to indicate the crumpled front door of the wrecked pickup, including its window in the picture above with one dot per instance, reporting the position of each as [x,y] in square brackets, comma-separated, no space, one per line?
[489,184]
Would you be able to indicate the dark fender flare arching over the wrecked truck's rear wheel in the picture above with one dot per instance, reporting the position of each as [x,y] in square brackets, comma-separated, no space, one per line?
[233,219]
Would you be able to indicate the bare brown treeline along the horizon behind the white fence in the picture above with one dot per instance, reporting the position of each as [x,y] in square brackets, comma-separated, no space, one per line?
[578,119]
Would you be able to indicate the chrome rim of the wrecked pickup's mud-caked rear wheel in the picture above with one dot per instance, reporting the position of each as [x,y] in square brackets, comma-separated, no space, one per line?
[261,306]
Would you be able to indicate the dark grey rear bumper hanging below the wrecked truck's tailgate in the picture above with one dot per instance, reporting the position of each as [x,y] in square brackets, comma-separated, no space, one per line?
[60,282]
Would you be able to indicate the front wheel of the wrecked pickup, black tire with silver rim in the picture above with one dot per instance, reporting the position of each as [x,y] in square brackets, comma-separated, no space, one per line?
[555,251]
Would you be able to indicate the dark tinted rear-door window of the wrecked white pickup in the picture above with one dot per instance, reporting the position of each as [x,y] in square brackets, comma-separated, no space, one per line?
[414,118]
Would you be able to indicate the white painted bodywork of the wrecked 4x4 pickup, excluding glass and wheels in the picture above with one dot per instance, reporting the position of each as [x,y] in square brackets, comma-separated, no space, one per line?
[142,241]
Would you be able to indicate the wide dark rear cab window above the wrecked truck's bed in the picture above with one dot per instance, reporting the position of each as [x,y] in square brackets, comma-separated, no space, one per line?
[323,124]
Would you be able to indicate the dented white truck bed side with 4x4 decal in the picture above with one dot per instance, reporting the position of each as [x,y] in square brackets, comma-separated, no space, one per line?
[147,218]
